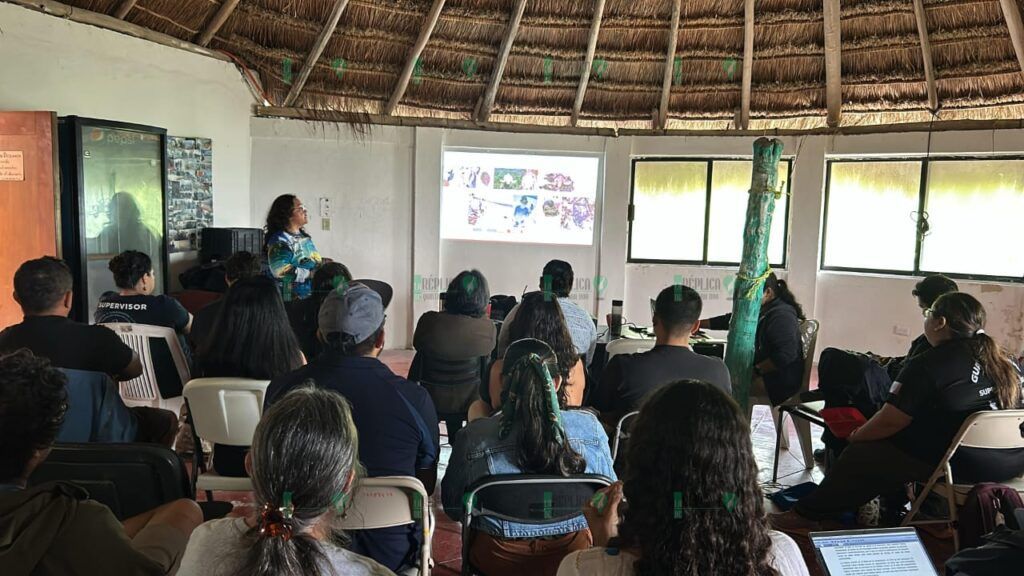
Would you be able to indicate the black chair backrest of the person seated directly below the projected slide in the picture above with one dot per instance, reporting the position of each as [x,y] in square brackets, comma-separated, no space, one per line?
[453,385]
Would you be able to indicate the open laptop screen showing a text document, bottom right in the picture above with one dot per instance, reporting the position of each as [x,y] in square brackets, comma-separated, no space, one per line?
[893,552]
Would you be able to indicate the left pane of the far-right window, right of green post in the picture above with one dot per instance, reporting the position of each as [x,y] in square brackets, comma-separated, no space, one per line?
[872,210]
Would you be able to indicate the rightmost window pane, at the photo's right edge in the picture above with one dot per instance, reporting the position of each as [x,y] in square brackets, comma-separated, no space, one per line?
[974,216]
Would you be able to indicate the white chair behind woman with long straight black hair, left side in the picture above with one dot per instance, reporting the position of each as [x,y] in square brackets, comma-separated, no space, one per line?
[224,412]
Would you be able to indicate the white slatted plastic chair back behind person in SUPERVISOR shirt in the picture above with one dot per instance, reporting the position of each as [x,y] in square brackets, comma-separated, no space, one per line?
[165,369]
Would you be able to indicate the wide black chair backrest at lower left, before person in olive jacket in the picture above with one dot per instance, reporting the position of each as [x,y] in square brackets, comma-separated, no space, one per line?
[131,479]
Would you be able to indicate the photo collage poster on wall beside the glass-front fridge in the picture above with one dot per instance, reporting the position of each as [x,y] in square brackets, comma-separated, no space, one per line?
[190,191]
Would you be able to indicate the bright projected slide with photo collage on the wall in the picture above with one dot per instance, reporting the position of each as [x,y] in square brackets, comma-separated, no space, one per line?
[520,198]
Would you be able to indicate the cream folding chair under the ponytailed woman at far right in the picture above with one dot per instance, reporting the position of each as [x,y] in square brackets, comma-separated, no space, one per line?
[991,429]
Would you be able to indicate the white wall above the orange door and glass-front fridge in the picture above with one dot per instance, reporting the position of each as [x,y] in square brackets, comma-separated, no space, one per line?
[56,65]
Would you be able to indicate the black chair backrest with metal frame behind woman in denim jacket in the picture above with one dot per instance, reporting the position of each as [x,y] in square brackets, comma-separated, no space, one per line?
[526,500]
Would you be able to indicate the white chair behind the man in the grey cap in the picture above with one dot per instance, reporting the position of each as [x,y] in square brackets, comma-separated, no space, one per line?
[388,502]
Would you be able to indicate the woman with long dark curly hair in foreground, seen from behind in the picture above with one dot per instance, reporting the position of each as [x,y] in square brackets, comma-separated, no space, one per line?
[695,503]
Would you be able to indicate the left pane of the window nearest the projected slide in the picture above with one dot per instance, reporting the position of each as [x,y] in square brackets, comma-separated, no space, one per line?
[669,204]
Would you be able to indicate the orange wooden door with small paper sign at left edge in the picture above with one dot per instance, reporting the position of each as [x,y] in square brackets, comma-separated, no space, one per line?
[28,197]
